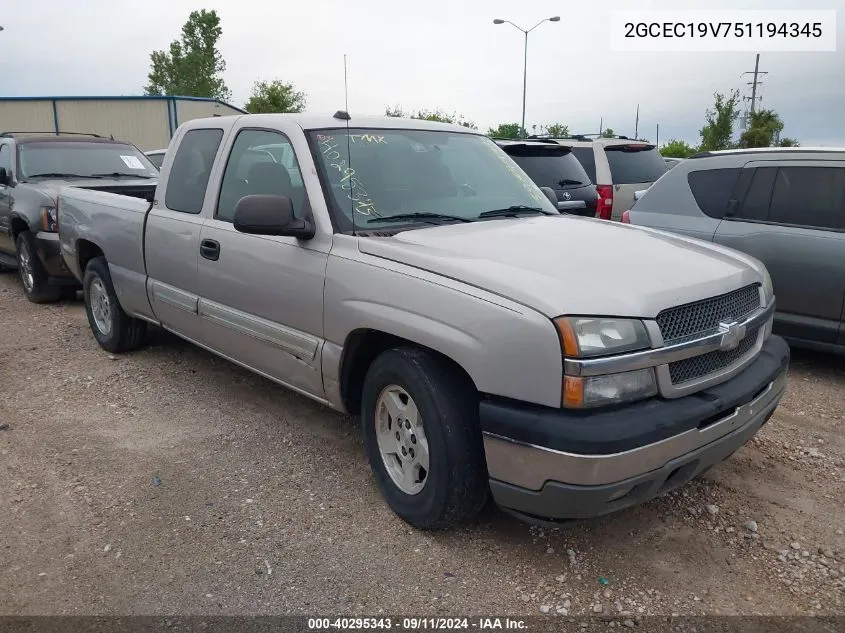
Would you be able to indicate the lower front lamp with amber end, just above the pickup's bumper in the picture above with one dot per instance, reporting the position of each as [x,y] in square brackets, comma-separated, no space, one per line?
[596,391]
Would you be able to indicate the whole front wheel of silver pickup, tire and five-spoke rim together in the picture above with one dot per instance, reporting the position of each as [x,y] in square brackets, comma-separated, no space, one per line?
[423,439]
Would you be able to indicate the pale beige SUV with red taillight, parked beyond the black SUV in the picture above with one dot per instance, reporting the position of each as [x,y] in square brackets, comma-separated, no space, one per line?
[618,166]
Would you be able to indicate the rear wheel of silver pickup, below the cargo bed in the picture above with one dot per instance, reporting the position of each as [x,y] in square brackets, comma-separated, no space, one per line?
[124,333]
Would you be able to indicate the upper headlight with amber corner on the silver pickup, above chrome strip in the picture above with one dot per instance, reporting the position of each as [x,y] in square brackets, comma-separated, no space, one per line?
[584,337]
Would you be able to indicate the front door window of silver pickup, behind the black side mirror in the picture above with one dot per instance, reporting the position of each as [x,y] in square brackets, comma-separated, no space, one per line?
[261,162]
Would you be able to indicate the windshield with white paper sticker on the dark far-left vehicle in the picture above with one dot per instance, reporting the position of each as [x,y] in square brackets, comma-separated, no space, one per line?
[101,160]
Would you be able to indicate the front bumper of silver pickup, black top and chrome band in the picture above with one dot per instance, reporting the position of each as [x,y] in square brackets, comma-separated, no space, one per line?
[558,464]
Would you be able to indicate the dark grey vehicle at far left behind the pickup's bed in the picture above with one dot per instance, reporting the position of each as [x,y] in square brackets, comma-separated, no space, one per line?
[33,167]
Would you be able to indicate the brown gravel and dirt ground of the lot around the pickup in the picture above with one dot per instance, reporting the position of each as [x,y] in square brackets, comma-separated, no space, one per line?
[168,481]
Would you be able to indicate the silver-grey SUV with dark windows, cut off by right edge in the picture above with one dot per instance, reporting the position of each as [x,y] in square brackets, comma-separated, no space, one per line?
[784,206]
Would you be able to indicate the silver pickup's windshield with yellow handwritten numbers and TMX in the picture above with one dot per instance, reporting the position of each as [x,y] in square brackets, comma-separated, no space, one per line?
[372,175]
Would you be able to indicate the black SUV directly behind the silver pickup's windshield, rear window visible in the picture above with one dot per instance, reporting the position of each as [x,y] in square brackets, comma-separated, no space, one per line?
[552,165]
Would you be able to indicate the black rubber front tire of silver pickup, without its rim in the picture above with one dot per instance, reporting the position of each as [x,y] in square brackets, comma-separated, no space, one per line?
[456,485]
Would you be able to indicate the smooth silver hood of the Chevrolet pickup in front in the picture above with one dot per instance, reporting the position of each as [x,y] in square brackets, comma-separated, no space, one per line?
[568,265]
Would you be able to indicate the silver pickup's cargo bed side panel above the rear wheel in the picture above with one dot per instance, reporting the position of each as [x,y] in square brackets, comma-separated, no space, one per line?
[93,220]
